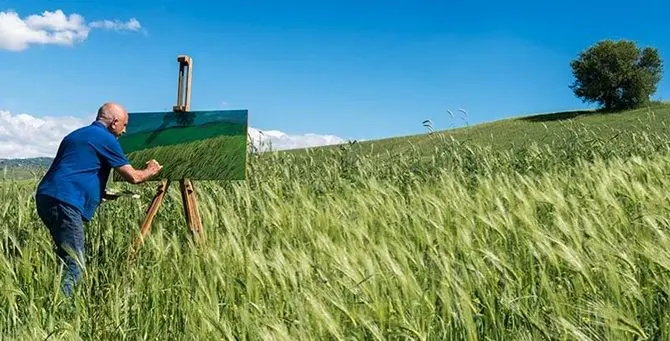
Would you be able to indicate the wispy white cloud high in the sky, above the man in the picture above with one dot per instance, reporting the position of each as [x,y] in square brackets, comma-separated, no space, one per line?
[57,28]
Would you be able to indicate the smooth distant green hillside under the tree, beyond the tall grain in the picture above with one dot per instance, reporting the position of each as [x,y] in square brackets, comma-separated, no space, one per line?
[519,132]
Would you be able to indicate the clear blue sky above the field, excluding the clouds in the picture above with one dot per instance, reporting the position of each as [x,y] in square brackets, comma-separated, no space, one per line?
[354,69]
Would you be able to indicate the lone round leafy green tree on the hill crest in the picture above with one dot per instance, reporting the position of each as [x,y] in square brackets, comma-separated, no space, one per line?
[616,74]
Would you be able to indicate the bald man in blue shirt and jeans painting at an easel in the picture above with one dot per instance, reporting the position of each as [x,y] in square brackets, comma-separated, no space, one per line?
[74,185]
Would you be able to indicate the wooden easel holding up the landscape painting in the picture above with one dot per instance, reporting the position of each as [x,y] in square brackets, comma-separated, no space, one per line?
[187,190]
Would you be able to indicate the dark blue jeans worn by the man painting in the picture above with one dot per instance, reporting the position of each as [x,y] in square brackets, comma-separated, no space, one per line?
[66,226]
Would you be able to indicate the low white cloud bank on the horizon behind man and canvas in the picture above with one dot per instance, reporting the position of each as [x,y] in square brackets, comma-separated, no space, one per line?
[23,136]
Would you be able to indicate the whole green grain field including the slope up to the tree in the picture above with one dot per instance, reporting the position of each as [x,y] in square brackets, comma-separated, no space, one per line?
[523,229]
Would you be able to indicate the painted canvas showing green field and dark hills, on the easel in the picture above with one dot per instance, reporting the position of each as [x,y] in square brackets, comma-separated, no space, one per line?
[198,145]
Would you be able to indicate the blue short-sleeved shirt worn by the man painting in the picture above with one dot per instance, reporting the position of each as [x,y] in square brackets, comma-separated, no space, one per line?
[79,172]
